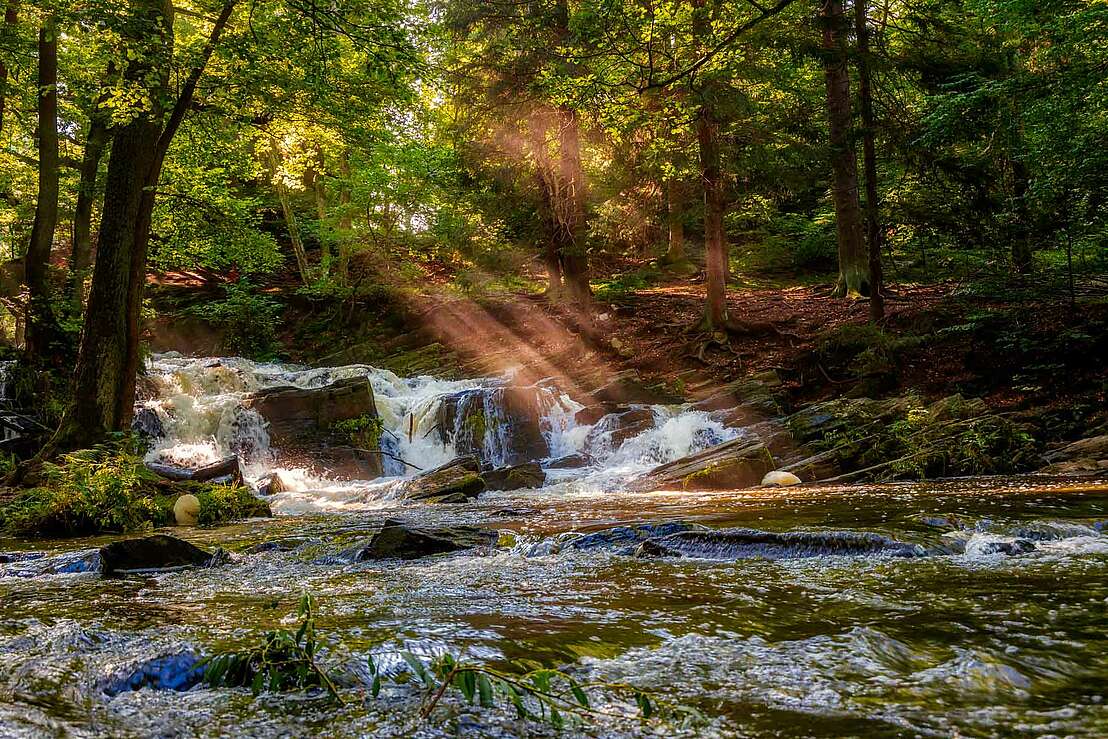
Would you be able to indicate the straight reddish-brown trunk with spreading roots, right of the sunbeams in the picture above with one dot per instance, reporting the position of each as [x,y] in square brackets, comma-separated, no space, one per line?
[714,240]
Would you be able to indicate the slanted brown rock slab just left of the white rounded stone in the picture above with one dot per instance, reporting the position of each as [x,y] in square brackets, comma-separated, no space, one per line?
[734,465]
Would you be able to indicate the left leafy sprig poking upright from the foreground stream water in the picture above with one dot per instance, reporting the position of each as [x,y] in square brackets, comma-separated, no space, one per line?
[285,661]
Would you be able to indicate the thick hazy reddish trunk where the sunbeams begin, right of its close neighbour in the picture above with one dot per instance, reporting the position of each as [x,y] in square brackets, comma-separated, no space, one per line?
[570,209]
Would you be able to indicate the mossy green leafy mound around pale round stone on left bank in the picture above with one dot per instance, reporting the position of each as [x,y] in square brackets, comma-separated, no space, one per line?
[109,490]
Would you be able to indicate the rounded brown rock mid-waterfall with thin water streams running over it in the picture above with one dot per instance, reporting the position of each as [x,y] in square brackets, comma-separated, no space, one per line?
[504,426]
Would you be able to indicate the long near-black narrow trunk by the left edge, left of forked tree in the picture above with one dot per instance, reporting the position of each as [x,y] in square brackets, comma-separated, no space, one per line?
[42,326]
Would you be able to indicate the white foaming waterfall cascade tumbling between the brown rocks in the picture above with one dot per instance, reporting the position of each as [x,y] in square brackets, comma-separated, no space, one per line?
[200,405]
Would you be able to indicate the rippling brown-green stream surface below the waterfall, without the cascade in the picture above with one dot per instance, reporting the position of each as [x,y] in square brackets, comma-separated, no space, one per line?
[977,644]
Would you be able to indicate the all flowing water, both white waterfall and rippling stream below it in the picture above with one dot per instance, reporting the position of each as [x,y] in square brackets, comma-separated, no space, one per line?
[968,641]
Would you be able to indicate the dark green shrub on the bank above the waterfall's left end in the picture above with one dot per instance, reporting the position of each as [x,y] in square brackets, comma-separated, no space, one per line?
[249,319]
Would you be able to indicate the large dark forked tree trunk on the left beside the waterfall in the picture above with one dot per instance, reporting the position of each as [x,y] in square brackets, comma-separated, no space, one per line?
[108,363]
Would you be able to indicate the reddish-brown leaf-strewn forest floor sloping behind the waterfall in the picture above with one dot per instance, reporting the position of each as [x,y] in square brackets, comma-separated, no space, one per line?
[1018,350]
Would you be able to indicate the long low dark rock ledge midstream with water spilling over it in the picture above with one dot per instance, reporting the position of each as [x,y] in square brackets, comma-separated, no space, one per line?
[751,543]
